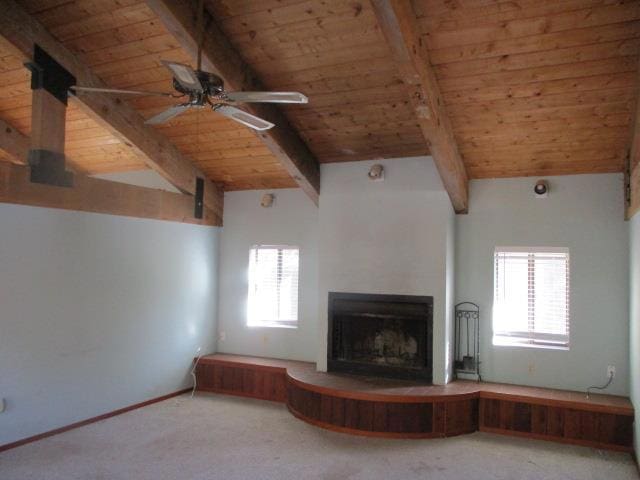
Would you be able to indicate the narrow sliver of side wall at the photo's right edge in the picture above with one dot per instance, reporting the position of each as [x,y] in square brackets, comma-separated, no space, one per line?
[634,227]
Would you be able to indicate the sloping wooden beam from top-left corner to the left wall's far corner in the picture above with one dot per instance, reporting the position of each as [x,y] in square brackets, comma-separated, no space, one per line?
[22,31]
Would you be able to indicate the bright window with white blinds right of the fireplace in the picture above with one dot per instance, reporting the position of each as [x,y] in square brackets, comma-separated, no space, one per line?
[531,297]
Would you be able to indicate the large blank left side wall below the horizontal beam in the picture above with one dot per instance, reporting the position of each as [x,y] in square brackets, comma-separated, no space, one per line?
[98,312]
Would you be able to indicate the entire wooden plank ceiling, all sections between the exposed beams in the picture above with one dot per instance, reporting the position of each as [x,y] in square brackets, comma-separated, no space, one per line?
[532,87]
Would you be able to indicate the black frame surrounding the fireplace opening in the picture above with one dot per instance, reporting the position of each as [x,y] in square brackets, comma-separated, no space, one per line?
[424,373]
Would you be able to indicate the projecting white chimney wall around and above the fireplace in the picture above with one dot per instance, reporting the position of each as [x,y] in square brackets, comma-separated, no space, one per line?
[386,237]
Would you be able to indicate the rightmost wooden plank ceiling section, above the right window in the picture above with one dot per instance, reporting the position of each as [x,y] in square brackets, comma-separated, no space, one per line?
[536,87]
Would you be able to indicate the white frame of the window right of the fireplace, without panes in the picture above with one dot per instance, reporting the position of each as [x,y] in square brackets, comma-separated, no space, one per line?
[528,338]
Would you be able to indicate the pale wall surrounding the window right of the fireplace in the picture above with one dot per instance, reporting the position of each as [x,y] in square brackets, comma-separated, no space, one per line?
[584,213]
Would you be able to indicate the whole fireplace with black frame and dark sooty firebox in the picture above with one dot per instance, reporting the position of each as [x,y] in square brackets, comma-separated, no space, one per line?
[381,335]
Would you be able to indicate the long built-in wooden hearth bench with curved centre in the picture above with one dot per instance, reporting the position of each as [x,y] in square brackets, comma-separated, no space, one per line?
[405,409]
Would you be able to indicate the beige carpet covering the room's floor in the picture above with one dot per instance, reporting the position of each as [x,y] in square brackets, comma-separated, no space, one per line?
[218,437]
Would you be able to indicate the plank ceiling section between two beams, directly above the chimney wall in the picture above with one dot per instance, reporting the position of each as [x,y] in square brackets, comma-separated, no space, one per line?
[334,52]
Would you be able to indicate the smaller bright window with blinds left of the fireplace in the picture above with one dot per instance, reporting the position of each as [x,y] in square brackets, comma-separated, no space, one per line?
[273,286]
